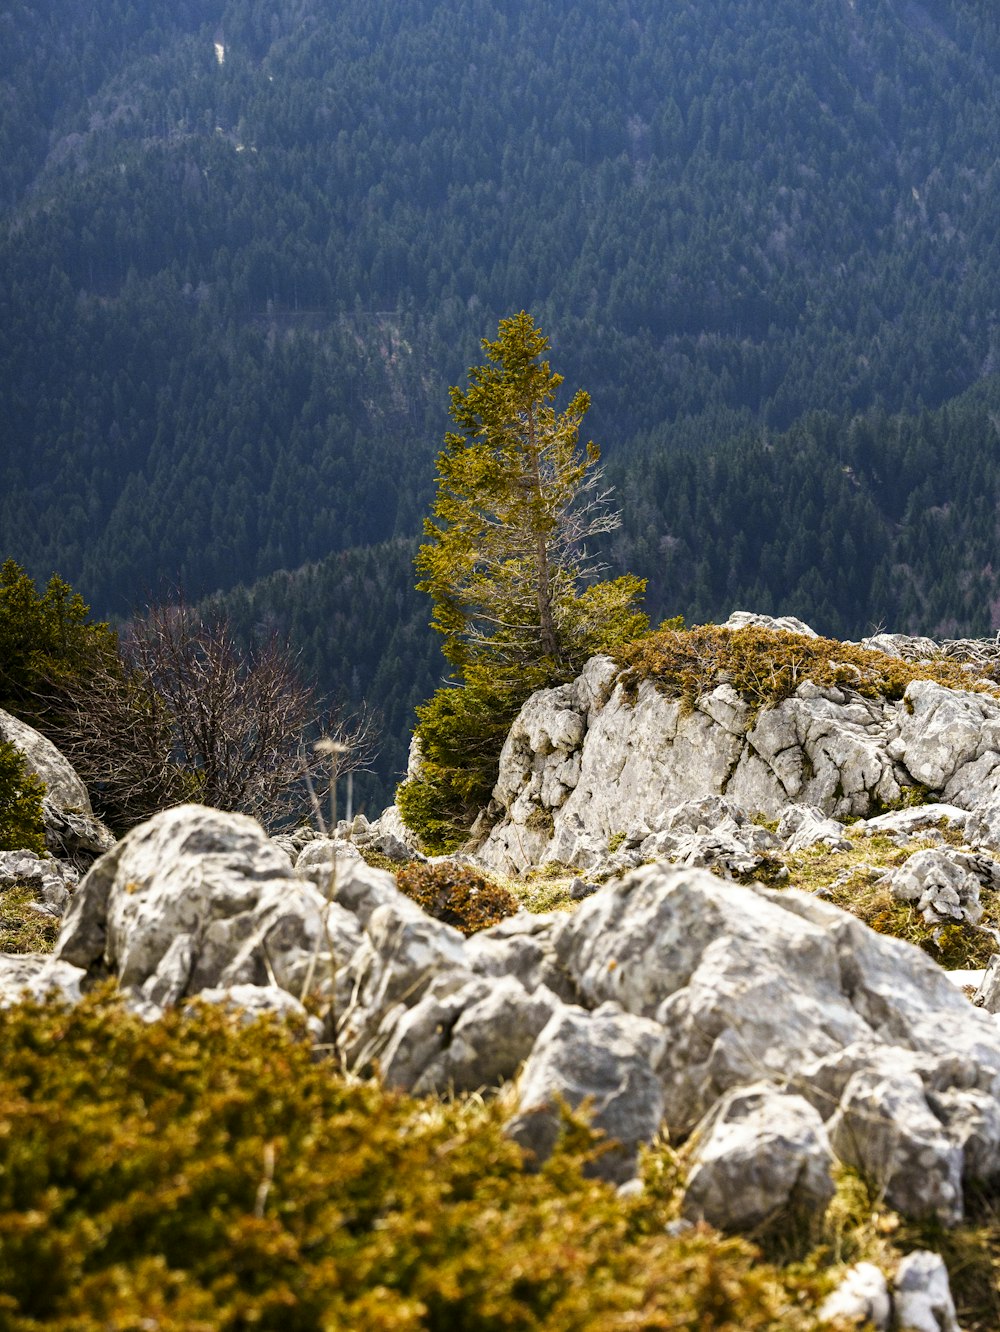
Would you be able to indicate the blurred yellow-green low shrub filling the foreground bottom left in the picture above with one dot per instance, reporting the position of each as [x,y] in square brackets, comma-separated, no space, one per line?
[211,1175]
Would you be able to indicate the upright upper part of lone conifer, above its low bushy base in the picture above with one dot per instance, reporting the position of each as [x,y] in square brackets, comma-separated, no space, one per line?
[519,499]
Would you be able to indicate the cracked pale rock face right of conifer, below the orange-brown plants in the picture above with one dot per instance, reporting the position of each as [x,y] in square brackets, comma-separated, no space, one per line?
[592,767]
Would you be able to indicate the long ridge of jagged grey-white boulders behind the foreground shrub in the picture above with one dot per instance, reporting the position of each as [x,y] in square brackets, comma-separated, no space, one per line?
[774,1030]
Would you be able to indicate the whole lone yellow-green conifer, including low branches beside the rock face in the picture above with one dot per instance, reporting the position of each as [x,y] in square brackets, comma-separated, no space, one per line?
[519,597]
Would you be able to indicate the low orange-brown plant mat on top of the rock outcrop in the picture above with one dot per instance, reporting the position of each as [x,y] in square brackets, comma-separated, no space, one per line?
[765,665]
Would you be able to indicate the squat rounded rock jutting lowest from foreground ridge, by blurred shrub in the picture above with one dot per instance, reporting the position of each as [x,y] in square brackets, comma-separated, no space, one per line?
[758,1153]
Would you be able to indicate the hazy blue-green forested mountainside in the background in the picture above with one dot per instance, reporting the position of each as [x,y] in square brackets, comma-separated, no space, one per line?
[247,248]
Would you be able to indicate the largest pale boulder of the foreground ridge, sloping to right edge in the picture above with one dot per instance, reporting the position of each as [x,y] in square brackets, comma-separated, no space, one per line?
[754,985]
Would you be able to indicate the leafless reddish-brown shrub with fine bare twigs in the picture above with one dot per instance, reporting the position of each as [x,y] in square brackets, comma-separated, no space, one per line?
[186,713]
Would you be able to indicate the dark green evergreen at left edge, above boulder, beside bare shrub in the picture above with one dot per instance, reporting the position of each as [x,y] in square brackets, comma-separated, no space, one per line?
[47,644]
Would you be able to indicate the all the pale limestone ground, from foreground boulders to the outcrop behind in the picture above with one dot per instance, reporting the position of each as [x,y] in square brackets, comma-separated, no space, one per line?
[724,952]
